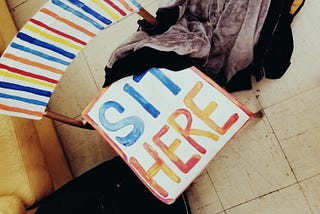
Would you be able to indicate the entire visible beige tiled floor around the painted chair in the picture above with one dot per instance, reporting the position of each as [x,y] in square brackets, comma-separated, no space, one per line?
[271,166]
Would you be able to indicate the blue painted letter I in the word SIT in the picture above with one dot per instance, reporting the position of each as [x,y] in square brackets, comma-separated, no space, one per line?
[141,100]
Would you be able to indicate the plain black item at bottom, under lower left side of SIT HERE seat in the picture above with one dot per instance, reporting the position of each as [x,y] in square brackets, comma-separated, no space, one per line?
[111,188]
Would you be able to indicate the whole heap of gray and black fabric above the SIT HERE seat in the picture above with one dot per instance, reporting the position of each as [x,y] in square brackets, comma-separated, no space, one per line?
[229,40]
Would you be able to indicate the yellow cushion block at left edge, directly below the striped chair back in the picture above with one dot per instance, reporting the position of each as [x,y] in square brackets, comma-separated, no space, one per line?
[23,169]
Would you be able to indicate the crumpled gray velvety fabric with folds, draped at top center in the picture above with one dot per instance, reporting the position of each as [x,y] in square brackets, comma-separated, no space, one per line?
[222,33]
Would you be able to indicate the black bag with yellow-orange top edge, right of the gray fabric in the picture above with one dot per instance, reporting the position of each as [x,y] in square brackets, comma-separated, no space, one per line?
[272,53]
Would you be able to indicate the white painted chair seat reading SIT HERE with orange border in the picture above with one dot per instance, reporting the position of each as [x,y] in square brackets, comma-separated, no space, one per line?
[166,125]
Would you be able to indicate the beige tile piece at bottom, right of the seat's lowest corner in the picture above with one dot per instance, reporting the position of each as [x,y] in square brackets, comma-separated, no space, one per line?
[202,196]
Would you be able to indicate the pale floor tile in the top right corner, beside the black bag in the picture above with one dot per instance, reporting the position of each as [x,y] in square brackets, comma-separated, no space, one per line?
[304,72]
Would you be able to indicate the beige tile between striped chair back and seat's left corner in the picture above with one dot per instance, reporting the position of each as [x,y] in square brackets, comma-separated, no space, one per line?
[75,90]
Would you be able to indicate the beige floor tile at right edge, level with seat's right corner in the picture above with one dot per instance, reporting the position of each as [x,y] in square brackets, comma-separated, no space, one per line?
[296,115]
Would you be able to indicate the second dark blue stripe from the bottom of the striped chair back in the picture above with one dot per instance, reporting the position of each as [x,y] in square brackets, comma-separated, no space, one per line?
[46,45]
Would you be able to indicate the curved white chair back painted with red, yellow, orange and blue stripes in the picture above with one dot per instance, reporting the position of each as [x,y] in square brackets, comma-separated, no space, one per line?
[43,49]
